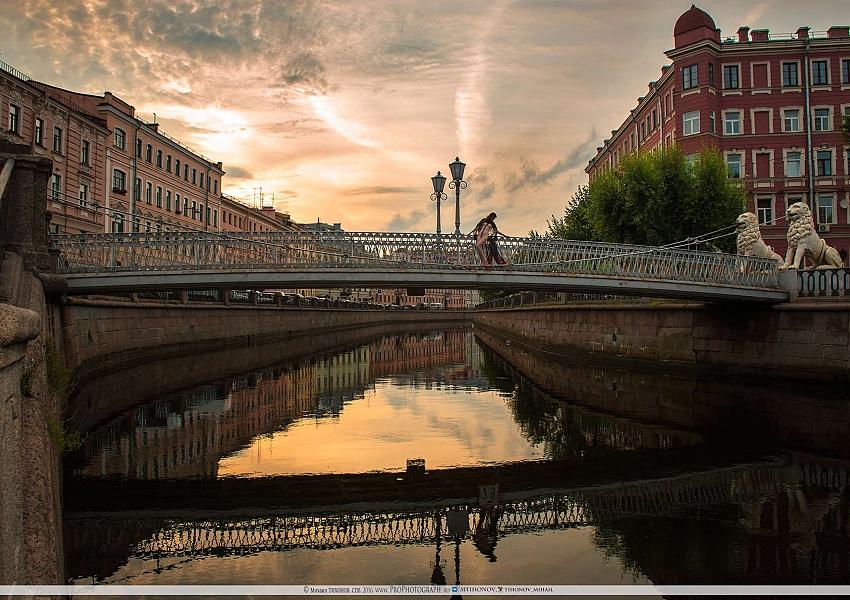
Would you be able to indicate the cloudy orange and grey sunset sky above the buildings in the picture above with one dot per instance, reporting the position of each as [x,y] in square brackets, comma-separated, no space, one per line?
[344,110]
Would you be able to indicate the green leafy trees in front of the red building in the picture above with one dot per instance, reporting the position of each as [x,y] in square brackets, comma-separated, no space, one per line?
[654,198]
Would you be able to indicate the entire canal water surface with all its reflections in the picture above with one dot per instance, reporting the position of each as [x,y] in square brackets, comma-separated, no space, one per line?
[435,455]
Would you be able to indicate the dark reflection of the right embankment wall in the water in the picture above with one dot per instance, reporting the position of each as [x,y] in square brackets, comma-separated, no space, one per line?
[809,418]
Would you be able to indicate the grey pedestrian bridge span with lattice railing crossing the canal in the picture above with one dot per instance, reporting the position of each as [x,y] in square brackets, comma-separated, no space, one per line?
[179,260]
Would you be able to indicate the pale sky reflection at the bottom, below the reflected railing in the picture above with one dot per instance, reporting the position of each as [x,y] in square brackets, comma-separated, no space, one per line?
[551,557]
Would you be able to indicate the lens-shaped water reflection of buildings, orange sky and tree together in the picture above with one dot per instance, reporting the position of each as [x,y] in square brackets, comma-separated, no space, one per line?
[434,395]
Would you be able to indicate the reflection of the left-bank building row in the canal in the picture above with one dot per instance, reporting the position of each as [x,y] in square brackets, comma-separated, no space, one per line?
[186,435]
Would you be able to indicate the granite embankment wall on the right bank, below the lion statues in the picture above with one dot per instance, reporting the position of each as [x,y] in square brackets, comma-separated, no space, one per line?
[798,340]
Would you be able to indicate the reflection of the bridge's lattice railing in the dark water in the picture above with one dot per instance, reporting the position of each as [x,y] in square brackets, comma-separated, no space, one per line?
[339,527]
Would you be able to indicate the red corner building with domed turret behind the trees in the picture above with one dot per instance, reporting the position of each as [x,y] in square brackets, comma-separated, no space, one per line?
[772,104]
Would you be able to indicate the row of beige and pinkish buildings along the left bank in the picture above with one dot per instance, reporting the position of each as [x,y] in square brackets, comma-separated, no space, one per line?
[113,171]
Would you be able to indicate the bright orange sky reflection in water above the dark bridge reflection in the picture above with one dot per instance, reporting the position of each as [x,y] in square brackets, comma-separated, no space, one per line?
[446,427]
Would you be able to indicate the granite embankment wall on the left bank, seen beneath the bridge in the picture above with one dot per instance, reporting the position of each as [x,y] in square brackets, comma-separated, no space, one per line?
[98,336]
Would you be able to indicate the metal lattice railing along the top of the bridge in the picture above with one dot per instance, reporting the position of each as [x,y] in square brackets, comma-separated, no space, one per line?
[170,251]
